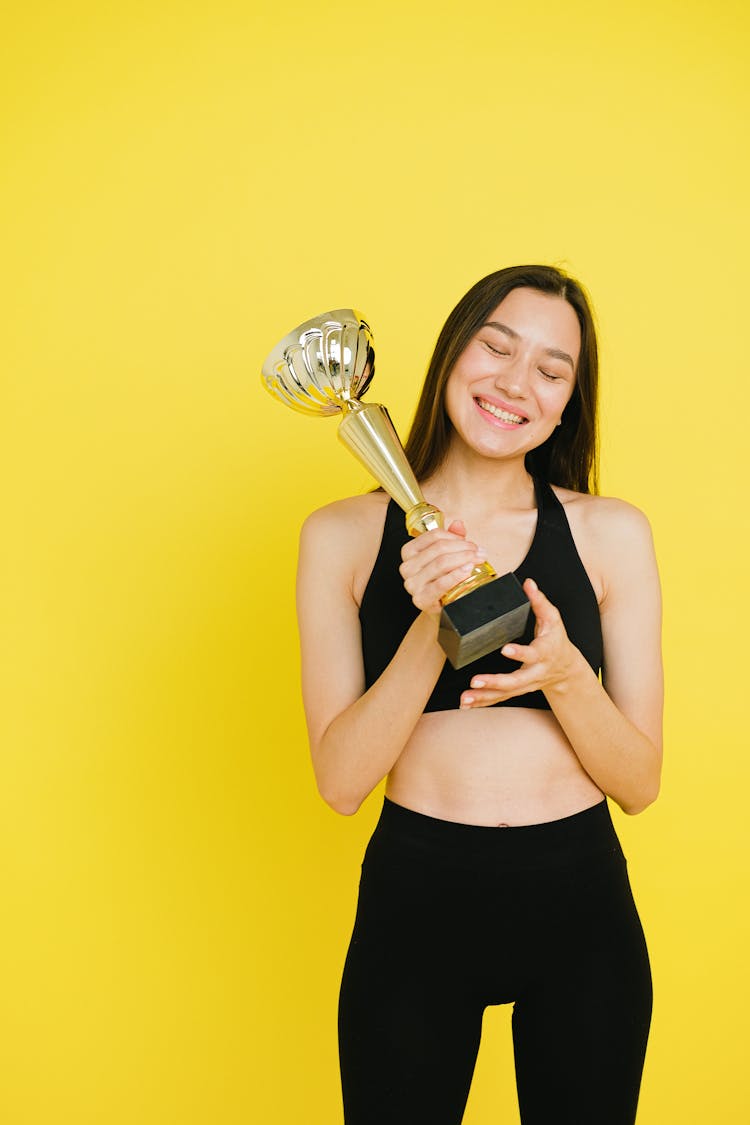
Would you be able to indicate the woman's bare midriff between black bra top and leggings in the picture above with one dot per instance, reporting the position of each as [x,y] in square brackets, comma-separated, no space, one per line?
[492,767]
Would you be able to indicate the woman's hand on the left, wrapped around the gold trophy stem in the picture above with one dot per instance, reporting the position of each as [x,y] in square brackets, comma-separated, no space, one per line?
[437,561]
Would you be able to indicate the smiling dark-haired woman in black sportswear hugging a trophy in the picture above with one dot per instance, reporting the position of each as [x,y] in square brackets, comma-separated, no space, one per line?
[495,875]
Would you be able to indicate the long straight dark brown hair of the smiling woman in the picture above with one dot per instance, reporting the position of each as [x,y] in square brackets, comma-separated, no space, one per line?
[570,457]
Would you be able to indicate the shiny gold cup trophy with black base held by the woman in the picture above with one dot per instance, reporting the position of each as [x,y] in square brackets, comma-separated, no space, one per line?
[324,367]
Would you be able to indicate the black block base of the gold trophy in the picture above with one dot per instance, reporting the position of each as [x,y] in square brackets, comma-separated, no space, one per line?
[484,620]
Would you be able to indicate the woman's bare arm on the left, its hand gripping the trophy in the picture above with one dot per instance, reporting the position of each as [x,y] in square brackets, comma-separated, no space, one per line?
[356,735]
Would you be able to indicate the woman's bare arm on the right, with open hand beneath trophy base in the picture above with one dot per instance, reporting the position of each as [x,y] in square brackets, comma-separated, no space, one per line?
[615,727]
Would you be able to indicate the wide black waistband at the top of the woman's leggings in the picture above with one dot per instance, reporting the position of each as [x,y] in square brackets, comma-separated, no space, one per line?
[522,848]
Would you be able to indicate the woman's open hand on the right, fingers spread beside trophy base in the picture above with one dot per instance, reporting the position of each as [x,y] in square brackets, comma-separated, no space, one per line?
[548,661]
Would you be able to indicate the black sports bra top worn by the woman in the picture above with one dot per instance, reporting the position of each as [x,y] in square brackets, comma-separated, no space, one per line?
[387,611]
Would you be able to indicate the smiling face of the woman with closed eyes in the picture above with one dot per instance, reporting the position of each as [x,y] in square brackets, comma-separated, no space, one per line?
[512,383]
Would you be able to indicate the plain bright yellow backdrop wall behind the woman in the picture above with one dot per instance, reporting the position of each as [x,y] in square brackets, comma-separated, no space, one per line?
[180,185]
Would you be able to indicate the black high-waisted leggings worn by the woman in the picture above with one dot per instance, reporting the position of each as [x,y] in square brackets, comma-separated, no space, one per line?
[453,919]
